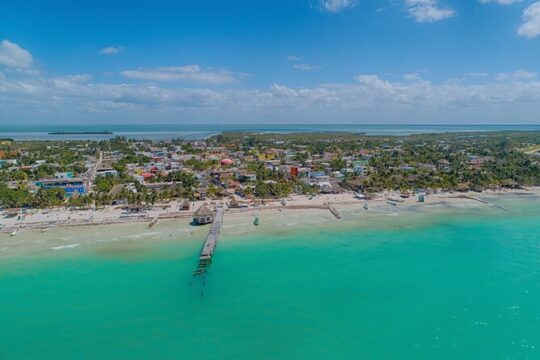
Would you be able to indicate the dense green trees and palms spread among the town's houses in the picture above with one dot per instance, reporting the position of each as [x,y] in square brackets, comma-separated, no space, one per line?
[450,161]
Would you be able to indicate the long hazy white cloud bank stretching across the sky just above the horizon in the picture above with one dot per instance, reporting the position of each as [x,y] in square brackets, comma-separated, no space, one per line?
[369,93]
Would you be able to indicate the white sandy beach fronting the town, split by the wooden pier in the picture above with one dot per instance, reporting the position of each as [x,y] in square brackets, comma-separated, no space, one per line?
[71,230]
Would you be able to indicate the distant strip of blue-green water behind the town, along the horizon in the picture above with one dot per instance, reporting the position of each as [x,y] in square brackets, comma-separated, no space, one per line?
[199,131]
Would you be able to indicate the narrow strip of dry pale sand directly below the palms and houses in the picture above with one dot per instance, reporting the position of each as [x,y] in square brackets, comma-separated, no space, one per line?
[112,215]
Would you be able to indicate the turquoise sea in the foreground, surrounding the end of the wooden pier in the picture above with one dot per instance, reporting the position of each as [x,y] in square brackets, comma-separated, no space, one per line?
[454,286]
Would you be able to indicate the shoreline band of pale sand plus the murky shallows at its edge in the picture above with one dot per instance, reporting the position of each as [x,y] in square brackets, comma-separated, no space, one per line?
[128,238]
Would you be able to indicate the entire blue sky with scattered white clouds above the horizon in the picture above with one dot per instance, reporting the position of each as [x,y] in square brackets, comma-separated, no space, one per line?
[295,61]
